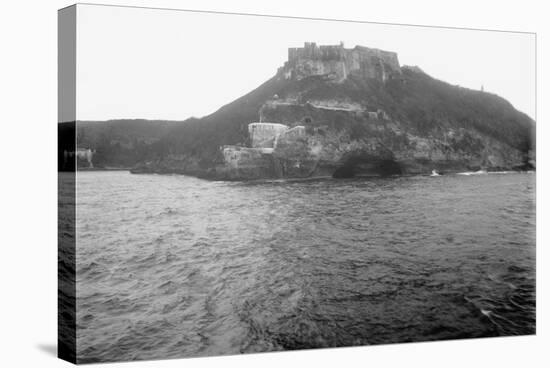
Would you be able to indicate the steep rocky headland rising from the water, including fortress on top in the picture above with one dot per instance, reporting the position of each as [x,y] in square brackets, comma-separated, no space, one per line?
[331,111]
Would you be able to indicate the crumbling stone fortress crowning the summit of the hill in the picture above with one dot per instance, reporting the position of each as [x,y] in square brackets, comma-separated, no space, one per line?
[337,62]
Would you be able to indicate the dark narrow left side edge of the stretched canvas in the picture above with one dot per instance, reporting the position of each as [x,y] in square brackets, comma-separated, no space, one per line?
[66,149]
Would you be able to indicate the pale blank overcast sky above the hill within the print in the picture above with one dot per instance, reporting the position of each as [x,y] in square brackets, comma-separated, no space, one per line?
[159,64]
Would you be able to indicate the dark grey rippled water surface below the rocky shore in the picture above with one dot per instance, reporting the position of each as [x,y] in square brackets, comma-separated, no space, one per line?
[174,266]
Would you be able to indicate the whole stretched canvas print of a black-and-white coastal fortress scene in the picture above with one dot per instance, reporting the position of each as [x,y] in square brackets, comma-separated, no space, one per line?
[234,183]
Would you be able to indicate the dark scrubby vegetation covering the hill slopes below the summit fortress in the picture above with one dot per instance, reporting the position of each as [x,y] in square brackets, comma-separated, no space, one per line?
[418,104]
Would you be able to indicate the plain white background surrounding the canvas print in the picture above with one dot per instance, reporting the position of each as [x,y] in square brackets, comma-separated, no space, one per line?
[28,184]
